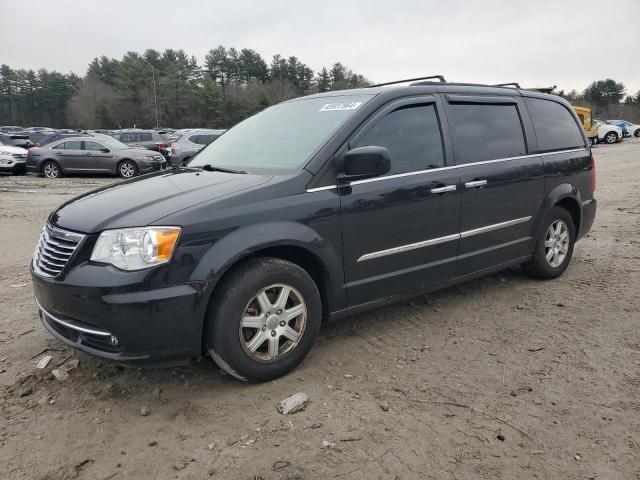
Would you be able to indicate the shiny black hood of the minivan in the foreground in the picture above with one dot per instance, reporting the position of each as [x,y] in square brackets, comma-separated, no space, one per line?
[143,200]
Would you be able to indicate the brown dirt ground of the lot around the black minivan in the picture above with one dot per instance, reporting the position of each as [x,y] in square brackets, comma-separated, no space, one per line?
[505,377]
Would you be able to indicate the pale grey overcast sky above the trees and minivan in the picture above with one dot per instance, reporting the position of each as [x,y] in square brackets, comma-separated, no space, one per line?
[535,42]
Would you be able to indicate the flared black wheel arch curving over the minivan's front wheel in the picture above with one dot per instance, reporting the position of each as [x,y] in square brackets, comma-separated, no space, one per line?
[245,241]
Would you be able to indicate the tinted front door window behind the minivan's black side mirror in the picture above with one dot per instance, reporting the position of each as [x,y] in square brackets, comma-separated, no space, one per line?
[412,136]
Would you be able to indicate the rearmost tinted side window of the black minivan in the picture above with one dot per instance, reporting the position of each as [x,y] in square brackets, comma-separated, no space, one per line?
[555,126]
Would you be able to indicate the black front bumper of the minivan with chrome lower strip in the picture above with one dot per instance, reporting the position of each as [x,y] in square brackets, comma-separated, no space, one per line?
[123,322]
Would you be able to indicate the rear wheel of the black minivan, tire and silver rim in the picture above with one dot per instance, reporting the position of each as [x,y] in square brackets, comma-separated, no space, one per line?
[557,223]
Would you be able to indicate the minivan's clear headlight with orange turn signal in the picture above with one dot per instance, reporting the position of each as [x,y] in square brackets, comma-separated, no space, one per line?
[136,248]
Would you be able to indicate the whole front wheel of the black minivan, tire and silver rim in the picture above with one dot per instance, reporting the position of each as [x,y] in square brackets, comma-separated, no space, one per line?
[264,348]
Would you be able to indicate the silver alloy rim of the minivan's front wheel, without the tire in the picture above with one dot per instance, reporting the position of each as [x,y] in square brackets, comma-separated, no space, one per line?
[273,323]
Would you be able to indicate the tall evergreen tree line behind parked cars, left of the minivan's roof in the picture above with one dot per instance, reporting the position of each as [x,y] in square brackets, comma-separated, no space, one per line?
[167,88]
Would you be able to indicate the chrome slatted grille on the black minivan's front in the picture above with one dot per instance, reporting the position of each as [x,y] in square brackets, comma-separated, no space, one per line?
[54,249]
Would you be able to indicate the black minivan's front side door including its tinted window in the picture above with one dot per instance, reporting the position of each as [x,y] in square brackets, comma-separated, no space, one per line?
[401,230]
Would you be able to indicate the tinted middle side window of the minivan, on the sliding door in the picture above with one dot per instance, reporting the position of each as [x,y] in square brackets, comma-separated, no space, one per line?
[485,132]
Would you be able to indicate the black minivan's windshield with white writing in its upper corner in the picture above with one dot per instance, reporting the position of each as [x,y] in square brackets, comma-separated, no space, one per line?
[280,139]
